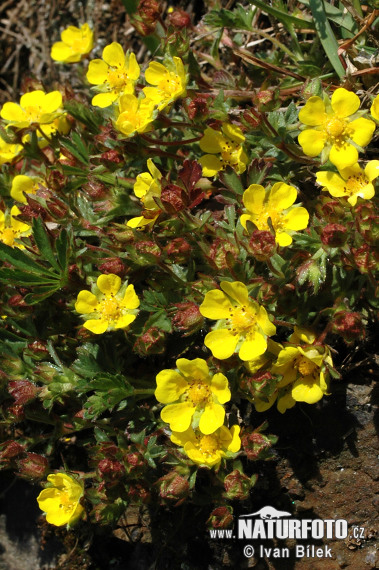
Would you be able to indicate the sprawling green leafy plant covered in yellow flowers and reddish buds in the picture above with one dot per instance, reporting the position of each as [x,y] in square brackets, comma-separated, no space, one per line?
[188,241]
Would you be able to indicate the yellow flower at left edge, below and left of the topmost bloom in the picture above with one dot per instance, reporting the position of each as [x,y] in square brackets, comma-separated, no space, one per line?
[35,107]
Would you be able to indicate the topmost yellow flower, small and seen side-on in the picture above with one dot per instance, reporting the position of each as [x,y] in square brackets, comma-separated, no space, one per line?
[75,43]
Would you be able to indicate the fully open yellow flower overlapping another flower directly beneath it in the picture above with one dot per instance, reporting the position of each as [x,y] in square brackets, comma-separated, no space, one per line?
[192,391]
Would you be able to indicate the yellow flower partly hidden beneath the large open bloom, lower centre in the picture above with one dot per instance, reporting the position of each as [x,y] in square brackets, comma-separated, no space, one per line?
[208,450]
